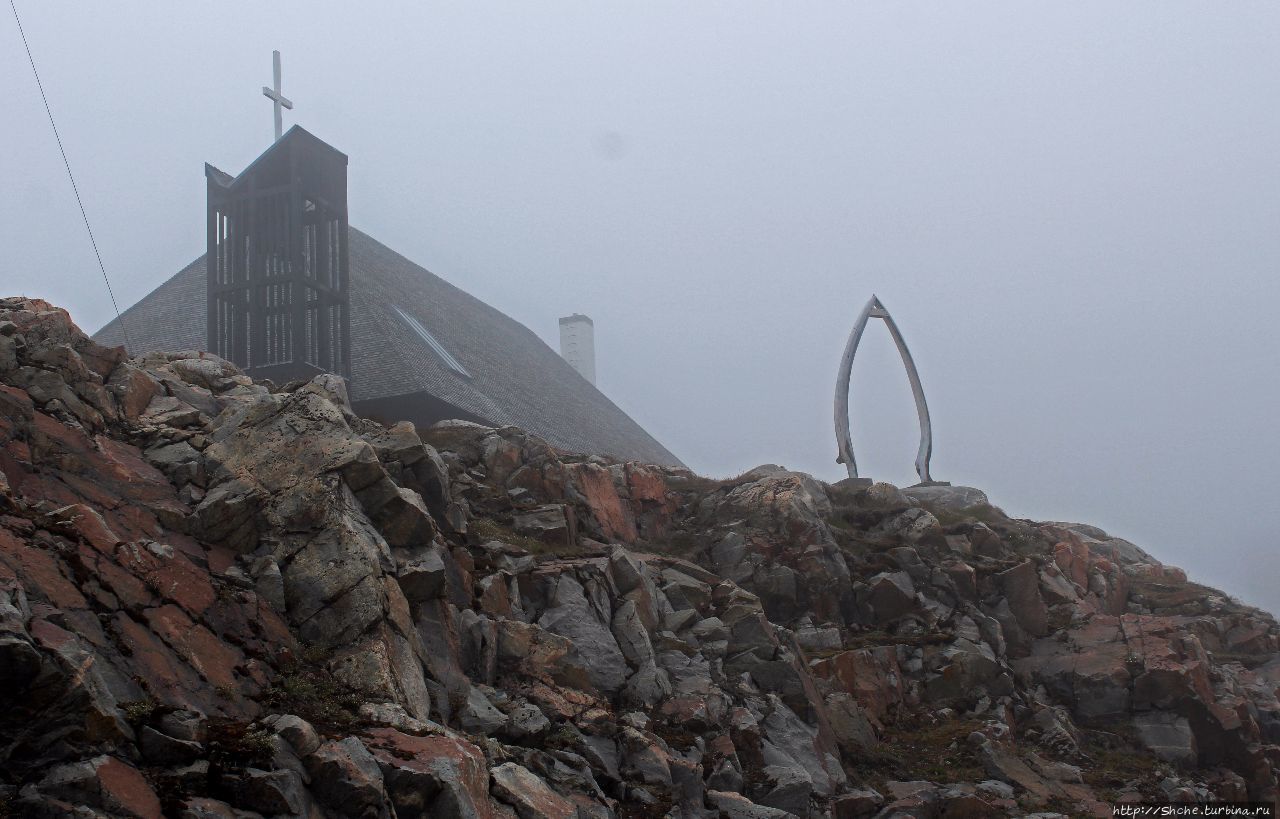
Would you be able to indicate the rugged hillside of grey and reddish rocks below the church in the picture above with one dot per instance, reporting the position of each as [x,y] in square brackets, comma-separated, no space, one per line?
[231,600]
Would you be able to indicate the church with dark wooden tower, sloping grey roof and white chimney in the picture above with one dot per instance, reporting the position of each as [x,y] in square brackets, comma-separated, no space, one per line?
[289,290]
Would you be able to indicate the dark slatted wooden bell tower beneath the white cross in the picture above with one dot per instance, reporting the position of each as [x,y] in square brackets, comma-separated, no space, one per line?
[278,269]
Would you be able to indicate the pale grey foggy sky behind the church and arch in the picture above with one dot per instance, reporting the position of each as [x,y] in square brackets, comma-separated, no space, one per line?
[1072,211]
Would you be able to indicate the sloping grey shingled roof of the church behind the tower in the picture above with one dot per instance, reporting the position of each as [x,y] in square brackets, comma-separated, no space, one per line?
[514,378]
